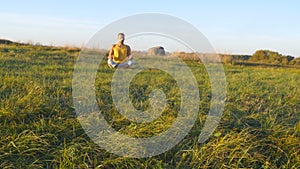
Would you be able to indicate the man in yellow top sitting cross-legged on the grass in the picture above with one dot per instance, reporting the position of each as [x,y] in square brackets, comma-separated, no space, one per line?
[118,54]
